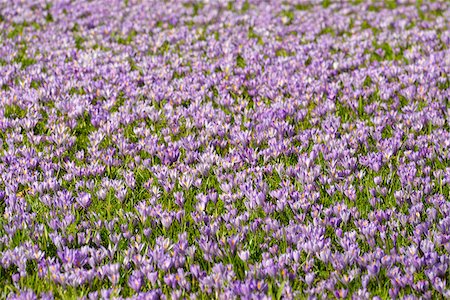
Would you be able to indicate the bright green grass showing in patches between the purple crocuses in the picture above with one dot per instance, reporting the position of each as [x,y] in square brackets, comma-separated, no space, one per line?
[126,211]
